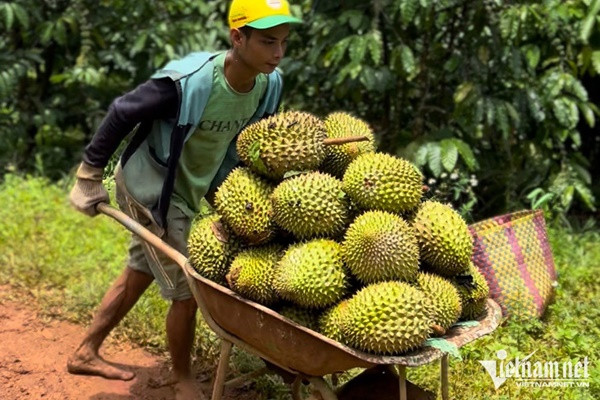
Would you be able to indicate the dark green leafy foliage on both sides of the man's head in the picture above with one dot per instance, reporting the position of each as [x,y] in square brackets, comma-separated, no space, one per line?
[491,86]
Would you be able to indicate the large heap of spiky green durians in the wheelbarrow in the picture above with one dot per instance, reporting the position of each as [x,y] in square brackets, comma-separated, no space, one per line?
[338,237]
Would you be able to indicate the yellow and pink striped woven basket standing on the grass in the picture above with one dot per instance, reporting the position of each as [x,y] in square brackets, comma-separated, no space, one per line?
[513,253]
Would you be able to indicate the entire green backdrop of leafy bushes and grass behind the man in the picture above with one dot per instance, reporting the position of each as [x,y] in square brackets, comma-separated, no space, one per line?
[496,101]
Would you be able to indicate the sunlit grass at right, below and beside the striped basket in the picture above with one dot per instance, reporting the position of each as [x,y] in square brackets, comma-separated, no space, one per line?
[569,331]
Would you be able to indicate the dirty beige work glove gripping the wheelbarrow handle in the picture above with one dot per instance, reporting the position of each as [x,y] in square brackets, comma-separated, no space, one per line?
[88,190]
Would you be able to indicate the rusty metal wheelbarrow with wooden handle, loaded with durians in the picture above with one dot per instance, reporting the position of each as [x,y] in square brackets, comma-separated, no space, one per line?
[295,349]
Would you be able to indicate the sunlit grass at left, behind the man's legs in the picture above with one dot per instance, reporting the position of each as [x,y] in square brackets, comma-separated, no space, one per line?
[67,260]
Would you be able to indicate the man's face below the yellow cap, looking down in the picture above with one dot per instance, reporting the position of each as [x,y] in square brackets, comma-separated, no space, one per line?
[265,48]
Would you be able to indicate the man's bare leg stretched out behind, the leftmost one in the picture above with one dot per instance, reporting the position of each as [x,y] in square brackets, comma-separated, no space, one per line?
[117,302]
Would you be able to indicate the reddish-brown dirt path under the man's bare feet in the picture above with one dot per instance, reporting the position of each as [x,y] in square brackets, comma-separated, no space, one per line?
[34,352]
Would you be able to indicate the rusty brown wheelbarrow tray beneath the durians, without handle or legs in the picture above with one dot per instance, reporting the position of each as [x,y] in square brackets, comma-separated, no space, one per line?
[305,351]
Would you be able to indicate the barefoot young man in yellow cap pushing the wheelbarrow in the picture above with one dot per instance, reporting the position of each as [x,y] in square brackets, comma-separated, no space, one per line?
[189,114]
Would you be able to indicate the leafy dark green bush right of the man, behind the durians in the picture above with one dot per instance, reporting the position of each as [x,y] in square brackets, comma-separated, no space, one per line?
[488,92]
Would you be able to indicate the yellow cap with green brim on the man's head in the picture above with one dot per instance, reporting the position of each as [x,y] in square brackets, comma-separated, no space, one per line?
[260,14]
